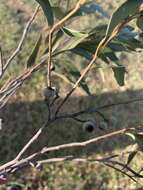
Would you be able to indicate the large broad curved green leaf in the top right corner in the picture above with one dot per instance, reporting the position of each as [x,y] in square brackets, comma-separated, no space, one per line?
[130,7]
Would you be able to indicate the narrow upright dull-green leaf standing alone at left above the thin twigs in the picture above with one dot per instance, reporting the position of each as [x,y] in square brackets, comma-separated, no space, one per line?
[32,58]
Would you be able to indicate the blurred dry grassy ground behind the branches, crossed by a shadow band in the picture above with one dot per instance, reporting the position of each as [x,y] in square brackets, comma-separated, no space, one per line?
[26,111]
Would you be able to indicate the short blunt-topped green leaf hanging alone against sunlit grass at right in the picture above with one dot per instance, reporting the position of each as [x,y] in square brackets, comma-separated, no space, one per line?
[119,74]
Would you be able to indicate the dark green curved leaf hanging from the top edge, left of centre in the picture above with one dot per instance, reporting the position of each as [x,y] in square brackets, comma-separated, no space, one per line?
[47,9]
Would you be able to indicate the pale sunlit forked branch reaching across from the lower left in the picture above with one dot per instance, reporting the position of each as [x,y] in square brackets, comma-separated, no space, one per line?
[17,163]
